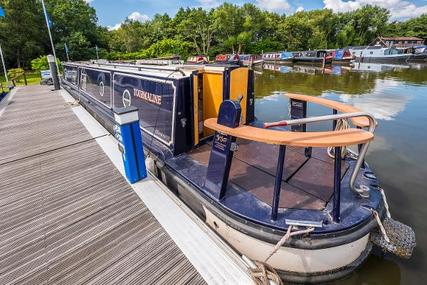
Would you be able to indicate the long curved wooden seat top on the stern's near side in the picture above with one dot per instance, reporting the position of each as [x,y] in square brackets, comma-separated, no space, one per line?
[299,139]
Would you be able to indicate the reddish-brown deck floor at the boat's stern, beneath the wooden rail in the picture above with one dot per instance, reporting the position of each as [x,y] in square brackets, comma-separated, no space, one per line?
[307,183]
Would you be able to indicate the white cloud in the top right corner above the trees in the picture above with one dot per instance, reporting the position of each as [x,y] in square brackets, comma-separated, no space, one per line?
[399,9]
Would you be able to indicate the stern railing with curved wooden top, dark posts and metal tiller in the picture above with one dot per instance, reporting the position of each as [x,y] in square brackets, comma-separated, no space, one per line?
[335,138]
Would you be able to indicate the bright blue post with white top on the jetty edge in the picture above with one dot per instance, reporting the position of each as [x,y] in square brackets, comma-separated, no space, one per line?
[128,133]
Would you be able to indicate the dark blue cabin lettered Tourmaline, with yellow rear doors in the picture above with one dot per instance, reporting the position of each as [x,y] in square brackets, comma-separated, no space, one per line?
[173,101]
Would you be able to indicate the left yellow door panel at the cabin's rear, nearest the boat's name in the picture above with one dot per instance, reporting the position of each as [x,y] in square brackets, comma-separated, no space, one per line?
[212,96]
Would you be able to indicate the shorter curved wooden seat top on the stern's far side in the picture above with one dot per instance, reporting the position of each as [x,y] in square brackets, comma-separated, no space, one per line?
[343,108]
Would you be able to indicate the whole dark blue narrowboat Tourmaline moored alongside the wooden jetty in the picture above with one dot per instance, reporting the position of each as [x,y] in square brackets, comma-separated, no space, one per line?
[296,200]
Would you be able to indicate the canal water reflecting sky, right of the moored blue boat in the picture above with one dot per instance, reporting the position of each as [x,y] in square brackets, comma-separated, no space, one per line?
[397,96]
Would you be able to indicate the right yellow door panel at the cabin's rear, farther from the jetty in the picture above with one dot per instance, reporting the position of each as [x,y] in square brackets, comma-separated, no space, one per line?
[239,87]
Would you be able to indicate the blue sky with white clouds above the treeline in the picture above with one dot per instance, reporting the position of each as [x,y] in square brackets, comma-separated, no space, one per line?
[112,13]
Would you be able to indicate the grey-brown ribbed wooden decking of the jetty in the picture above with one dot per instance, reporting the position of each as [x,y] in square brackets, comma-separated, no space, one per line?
[66,214]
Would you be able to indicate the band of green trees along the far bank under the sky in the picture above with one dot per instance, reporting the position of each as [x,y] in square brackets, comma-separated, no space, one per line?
[228,28]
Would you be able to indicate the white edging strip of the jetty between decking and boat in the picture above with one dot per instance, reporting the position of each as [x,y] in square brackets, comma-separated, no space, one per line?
[216,262]
